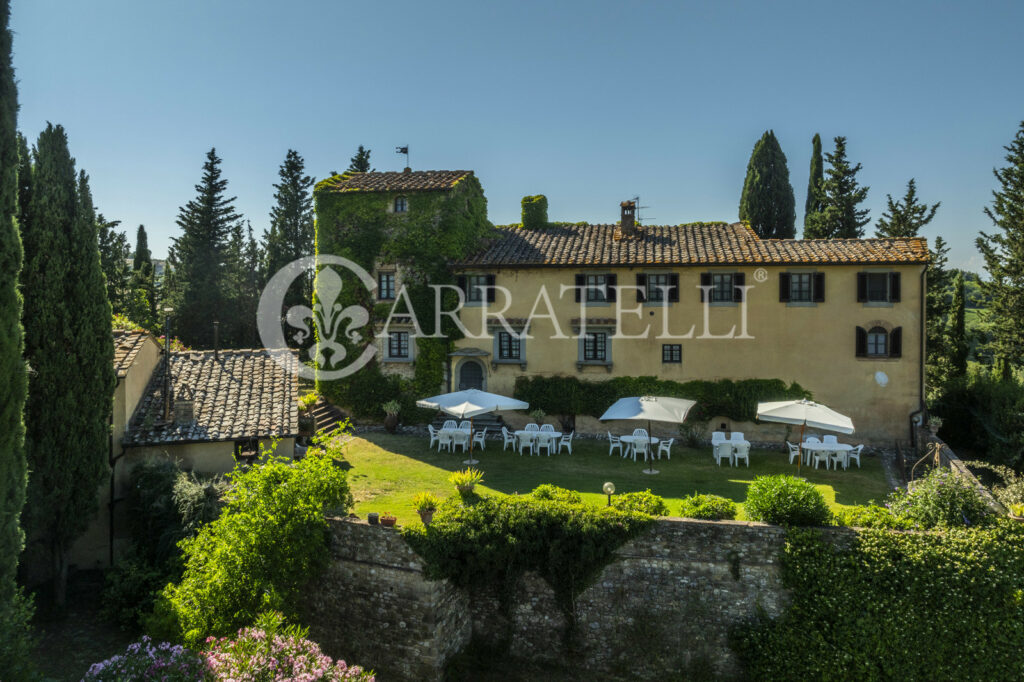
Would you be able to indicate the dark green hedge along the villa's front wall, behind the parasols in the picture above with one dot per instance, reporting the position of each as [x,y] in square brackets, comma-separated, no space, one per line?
[736,400]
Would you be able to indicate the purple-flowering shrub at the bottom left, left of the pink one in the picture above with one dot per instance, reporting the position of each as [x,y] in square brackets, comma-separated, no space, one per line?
[146,661]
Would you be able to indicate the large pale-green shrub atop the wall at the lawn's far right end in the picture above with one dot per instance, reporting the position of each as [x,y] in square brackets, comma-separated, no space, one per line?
[943,499]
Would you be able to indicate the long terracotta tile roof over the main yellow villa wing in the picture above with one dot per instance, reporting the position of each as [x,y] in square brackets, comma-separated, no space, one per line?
[694,244]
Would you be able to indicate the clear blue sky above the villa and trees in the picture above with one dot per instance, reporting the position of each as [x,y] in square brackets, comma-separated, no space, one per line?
[588,103]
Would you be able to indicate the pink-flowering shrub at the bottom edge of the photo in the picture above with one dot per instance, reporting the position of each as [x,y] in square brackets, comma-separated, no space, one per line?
[275,653]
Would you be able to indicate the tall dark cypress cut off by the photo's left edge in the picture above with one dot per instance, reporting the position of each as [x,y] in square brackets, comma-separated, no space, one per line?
[15,609]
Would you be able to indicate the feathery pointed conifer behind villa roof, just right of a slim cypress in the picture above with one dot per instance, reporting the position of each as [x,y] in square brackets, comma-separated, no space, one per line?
[840,196]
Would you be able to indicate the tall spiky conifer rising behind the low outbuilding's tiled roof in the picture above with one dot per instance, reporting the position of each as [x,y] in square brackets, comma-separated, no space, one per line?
[196,283]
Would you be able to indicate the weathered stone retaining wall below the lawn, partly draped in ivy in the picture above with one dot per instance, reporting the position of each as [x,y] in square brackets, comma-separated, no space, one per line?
[666,604]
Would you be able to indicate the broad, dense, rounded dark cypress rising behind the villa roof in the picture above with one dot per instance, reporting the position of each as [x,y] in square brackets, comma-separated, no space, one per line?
[767,202]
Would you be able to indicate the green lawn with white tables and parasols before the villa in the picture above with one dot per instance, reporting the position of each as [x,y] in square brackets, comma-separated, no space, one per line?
[388,471]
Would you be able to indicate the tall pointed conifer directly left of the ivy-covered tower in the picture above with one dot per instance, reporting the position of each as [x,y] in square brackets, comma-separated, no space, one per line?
[291,234]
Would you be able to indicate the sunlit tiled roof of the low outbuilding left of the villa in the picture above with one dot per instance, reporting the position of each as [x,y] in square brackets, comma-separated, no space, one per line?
[241,395]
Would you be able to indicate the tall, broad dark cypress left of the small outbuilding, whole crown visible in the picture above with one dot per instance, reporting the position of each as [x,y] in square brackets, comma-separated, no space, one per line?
[69,345]
